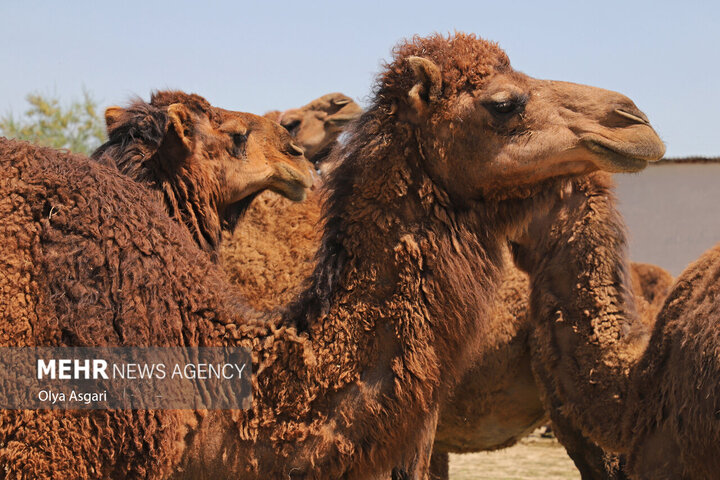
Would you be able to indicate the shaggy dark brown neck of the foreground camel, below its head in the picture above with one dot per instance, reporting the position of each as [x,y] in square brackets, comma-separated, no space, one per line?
[398,259]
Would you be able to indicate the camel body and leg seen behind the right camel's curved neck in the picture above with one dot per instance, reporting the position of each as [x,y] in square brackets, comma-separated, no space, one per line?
[498,400]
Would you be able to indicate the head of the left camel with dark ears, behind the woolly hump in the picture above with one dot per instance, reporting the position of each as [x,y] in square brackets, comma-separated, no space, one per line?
[233,154]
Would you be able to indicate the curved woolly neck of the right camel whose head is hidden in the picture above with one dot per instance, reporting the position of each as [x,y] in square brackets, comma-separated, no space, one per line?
[588,334]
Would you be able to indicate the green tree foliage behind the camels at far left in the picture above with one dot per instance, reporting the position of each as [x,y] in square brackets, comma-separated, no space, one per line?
[78,127]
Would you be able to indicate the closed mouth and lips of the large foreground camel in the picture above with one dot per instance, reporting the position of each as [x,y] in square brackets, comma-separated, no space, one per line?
[625,156]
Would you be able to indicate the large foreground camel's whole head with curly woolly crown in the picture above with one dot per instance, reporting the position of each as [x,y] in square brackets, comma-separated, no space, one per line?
[484,128]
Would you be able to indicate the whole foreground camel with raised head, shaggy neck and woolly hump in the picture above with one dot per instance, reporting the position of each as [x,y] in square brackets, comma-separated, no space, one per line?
[348,383]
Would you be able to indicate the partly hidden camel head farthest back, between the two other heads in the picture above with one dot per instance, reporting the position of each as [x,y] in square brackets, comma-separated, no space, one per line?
[318,124]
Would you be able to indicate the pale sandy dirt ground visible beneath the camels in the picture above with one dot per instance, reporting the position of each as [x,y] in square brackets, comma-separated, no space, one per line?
[531,459]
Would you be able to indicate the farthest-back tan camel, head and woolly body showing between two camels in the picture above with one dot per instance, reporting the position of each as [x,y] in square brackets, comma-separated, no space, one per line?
[276,229]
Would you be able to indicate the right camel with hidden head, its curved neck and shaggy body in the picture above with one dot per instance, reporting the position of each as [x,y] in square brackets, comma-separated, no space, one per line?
[656,399]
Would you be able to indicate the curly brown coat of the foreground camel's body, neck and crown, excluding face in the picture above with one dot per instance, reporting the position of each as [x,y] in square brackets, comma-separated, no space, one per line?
[104,264]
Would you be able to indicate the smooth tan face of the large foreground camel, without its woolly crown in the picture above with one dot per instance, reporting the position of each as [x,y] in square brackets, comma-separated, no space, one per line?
[520,130]
